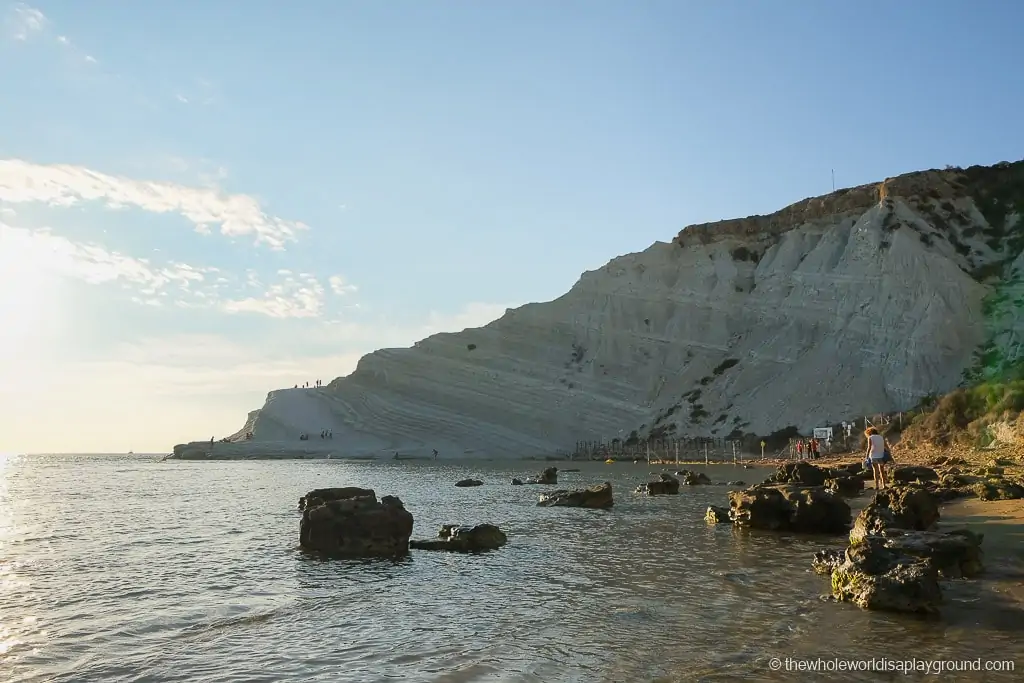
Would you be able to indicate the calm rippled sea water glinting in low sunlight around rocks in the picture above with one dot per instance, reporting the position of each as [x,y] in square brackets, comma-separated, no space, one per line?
[126,569]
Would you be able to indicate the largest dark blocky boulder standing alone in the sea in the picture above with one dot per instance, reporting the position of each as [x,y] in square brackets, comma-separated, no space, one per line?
[352,523]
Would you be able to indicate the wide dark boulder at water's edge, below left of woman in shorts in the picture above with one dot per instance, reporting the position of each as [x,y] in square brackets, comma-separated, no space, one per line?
[790,508]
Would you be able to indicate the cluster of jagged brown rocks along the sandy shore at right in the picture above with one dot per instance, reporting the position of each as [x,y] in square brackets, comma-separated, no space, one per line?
[898,559]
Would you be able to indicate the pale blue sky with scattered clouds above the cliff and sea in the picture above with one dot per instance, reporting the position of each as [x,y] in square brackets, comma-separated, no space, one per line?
[201,202]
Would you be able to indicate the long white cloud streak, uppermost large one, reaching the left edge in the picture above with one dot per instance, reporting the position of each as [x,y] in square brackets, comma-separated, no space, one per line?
[238,216]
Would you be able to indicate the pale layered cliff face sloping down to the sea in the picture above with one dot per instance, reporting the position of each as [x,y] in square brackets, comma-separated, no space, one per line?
[861,302]
